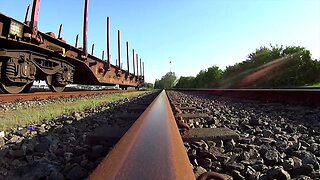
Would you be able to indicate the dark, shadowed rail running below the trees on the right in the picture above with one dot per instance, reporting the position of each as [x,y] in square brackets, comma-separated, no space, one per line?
[291,96]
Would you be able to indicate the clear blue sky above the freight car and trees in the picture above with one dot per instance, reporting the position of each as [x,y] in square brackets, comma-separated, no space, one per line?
[193,35]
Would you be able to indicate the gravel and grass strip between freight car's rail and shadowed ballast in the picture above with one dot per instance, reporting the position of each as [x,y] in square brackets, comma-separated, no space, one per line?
[19,114]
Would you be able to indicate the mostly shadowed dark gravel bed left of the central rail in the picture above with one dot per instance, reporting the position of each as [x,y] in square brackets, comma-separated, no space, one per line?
[69,147]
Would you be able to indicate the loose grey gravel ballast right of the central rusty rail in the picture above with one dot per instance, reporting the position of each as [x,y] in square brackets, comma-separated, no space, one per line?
[276,141]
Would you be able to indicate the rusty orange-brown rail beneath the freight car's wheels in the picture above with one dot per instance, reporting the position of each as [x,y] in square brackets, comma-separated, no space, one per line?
[54,95]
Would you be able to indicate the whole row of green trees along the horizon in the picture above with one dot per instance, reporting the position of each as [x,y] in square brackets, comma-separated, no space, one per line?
[274,67]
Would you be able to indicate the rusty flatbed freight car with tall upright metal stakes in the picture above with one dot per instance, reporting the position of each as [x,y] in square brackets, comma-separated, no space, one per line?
[27,55]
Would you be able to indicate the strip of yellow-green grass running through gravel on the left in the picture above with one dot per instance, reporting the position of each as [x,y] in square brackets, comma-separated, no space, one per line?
[22,117]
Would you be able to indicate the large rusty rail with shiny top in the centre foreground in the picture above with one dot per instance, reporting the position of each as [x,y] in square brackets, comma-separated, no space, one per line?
[151,149]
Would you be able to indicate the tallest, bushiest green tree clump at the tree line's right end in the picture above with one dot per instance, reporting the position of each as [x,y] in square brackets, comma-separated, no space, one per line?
[295,67]
